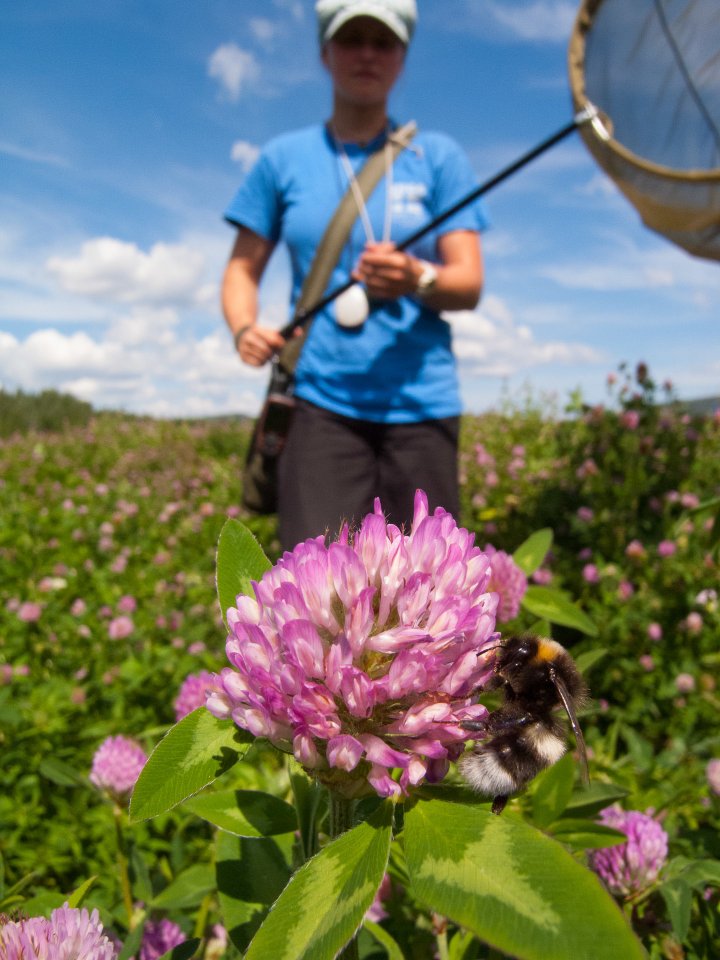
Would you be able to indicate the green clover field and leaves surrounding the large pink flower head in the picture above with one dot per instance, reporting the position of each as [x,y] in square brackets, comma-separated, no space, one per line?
[111,516]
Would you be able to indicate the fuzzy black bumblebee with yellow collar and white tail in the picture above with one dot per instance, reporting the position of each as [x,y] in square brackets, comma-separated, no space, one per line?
[524,736]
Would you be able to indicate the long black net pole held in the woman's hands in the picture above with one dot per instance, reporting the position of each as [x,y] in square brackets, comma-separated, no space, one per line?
[589,114]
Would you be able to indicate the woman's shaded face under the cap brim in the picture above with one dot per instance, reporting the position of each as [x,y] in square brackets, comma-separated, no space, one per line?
[364,59]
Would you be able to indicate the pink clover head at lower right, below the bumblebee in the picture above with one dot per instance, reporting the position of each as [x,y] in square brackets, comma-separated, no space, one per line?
[632,866]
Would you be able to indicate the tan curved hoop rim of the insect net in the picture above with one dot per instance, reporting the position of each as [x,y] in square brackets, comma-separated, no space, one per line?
[582,104]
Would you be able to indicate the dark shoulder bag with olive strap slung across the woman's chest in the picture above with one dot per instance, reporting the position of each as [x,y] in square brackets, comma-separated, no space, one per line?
[260,476]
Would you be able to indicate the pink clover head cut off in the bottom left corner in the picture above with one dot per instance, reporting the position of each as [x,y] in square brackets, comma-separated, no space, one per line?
[69,934]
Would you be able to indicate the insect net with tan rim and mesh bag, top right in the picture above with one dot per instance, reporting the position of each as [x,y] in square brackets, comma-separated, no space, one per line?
[652,70]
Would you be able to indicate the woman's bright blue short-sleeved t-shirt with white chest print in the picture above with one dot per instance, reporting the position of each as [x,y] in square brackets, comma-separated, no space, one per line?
[399,366]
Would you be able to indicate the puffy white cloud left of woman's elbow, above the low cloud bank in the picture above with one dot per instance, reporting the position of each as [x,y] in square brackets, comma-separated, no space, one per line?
[121,272]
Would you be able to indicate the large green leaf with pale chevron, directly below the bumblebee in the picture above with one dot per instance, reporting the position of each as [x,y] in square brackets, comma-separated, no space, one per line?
[513,887]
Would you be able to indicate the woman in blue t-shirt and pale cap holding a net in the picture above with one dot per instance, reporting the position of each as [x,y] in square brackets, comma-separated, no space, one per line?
[377,406]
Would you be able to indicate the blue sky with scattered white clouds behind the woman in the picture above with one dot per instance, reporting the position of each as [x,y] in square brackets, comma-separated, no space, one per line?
[127,126]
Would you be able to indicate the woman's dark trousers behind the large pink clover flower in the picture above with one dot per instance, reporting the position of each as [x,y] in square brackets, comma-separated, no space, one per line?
[333,467]
